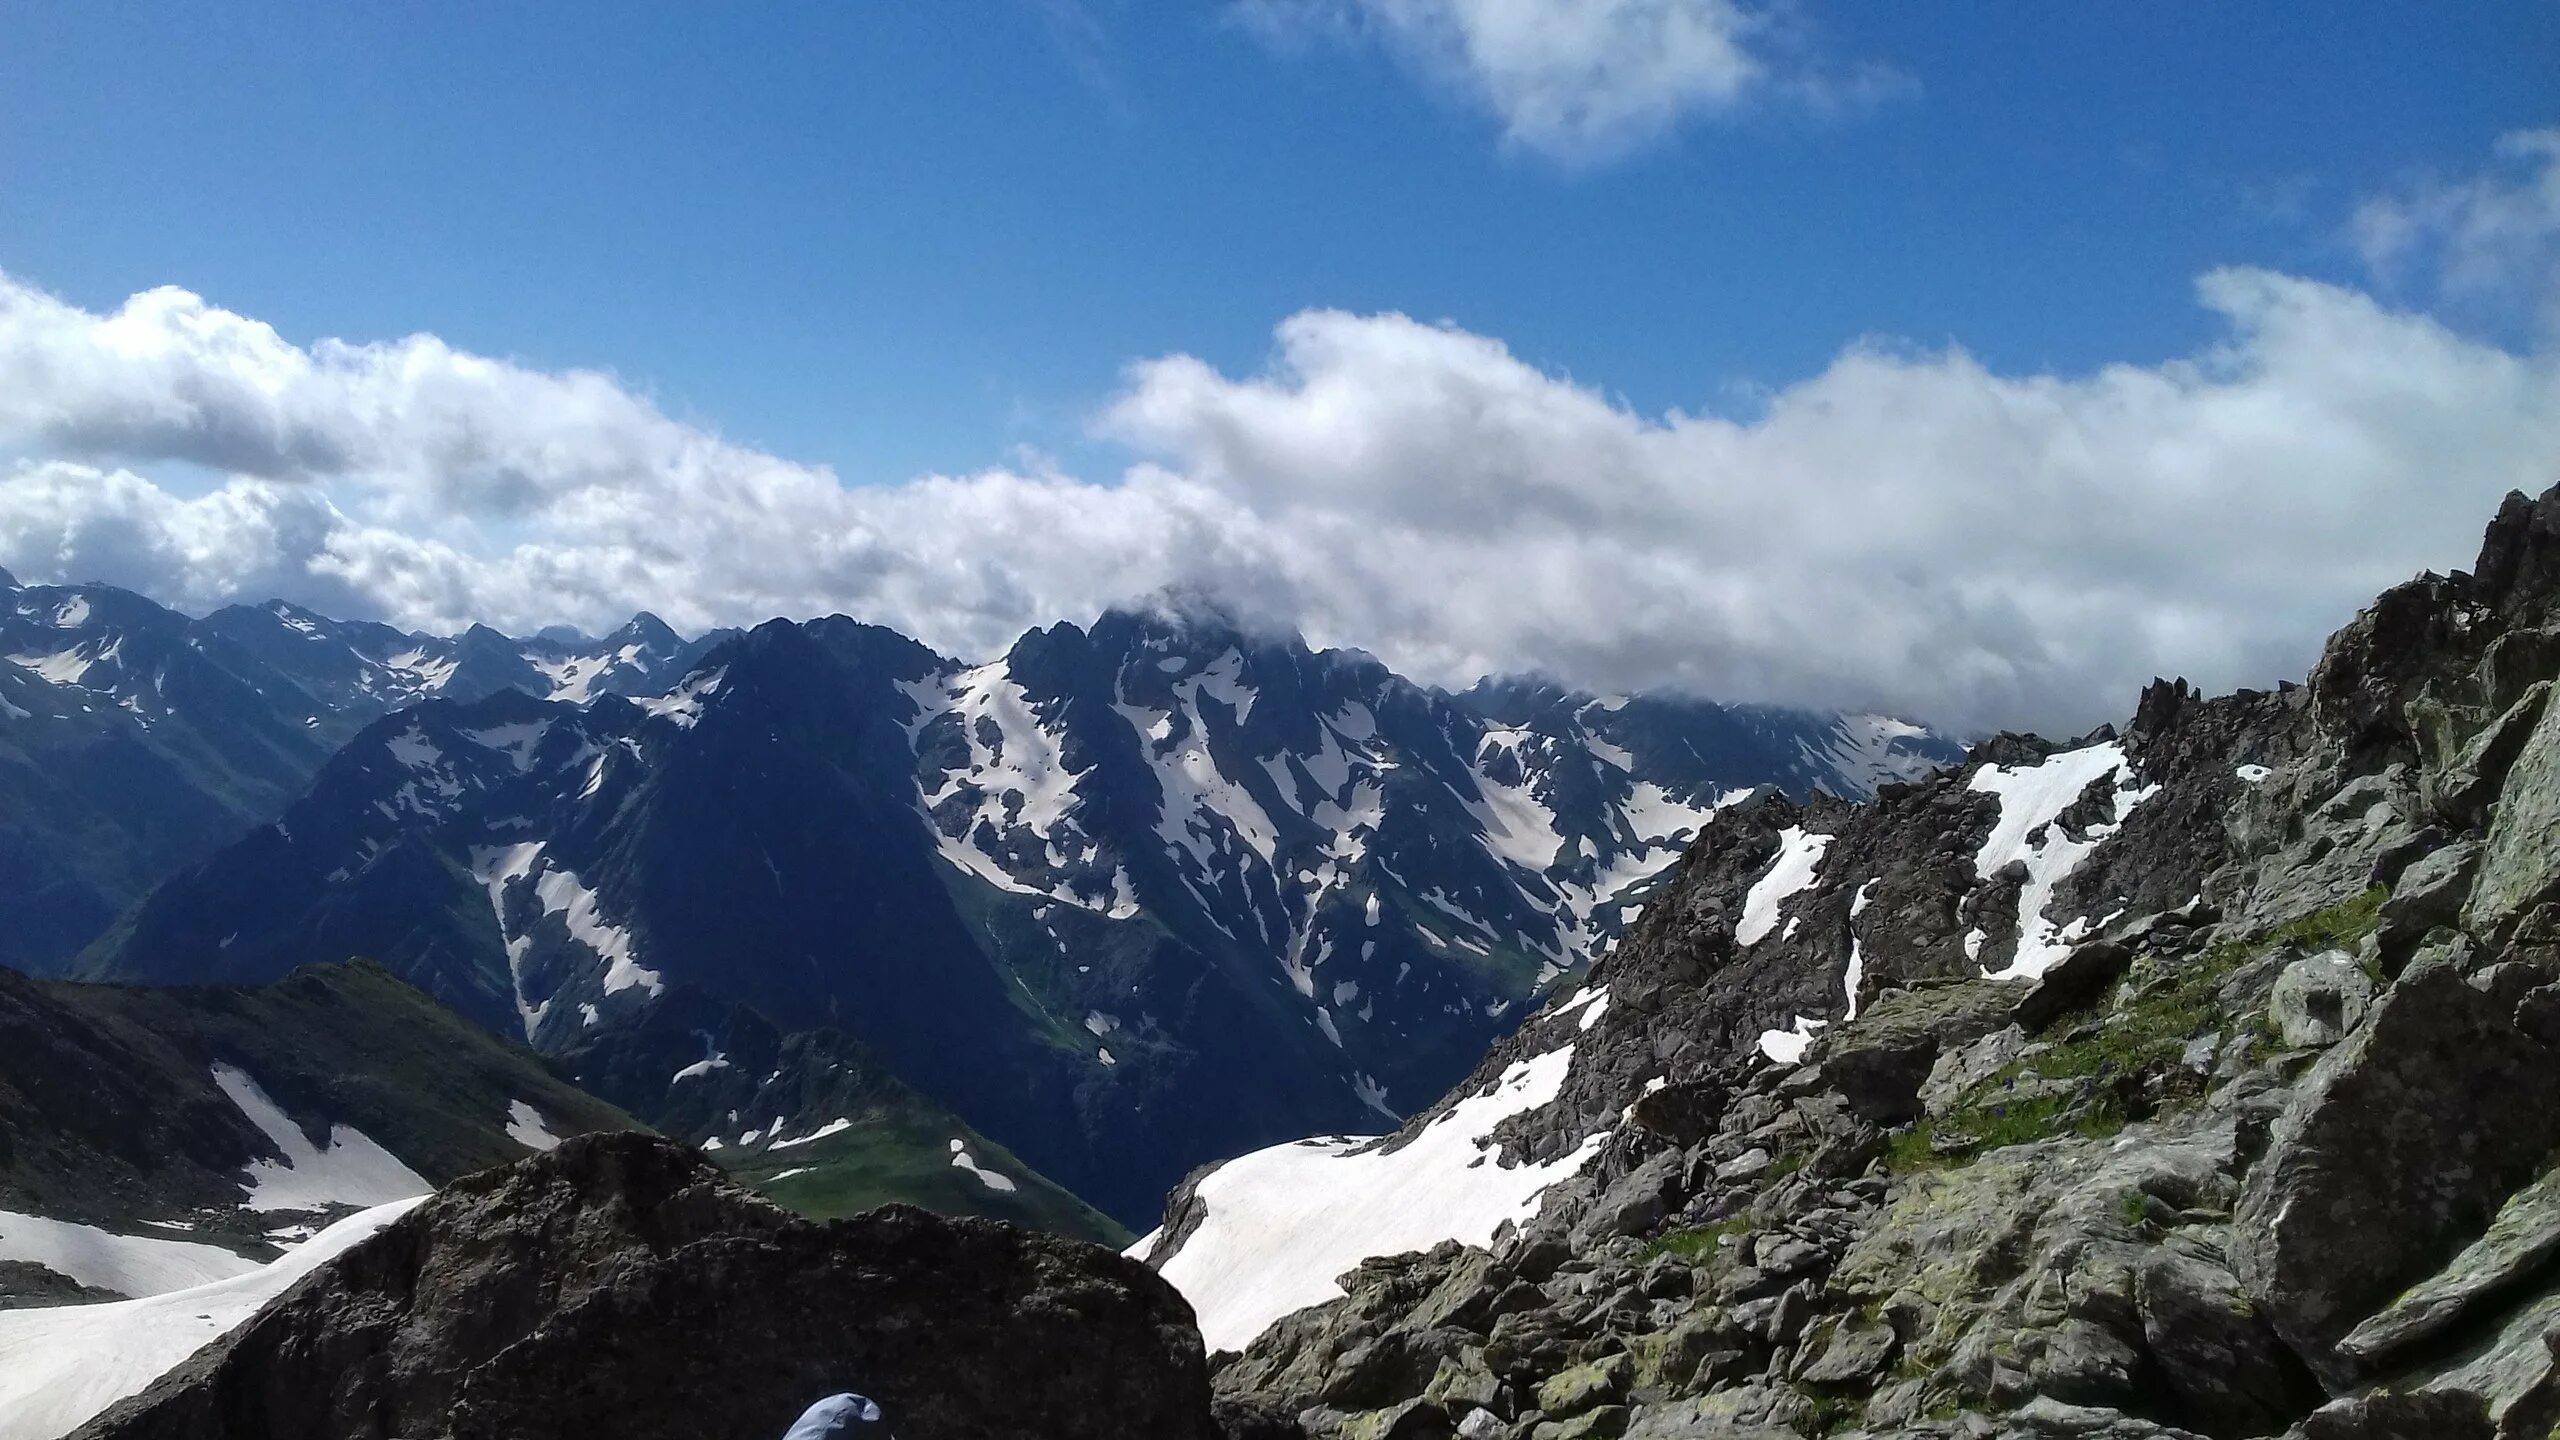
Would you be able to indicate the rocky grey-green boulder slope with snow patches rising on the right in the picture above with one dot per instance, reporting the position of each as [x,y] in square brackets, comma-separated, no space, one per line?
[2254,1134]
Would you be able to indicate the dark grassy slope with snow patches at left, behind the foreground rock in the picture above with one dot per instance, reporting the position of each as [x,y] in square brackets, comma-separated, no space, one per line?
[157,1126]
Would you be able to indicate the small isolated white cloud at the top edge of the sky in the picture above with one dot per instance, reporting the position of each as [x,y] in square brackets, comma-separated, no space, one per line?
[1581,81]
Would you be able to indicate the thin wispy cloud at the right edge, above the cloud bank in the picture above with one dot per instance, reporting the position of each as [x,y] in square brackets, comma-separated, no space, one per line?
[2490,237]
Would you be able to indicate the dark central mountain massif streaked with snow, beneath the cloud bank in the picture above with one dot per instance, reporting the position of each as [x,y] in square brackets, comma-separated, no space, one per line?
[1125,901]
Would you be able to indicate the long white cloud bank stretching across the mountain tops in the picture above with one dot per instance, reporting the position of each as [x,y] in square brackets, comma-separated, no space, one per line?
[1906,532]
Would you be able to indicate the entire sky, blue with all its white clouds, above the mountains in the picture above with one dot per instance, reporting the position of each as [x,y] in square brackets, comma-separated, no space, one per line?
[1962,363]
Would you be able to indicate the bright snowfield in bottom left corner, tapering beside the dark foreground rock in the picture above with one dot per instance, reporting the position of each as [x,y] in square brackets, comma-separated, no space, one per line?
[65,1364]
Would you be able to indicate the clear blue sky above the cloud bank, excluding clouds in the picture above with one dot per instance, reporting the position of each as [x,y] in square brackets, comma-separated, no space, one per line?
[913,237]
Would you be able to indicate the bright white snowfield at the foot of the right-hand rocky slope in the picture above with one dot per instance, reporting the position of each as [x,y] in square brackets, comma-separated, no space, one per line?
[1286,1221]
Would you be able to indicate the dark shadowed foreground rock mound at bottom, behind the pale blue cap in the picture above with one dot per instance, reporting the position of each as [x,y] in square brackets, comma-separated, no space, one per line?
[623,1288]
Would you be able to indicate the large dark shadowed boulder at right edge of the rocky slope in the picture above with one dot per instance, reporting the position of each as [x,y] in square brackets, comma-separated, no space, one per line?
[2397,1149]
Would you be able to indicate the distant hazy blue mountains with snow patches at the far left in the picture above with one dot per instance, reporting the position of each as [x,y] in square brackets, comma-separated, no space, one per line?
[137,742]
